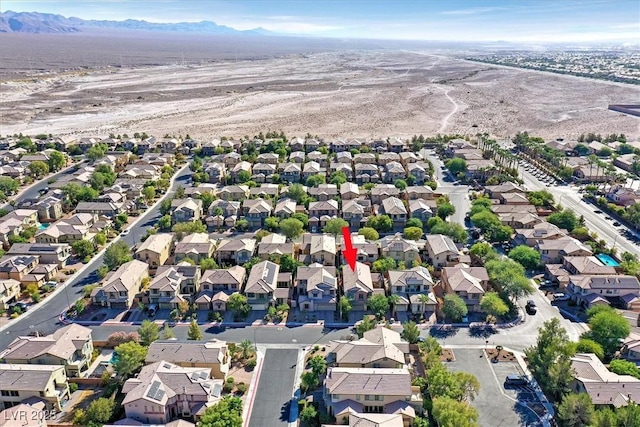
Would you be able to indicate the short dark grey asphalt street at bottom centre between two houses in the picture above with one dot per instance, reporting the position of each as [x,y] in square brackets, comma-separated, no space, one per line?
[275,388]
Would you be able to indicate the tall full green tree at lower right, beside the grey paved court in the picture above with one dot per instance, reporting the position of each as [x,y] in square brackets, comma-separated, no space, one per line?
[549,359]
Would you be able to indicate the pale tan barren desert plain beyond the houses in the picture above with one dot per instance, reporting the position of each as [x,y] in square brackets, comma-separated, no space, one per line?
[348,93]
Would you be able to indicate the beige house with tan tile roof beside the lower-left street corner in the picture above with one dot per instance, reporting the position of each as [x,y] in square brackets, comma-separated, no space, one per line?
[70,346]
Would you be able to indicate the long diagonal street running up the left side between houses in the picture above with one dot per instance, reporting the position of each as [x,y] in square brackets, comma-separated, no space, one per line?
[44,316]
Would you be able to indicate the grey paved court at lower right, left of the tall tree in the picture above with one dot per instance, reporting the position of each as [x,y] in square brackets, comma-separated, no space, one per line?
[494,406]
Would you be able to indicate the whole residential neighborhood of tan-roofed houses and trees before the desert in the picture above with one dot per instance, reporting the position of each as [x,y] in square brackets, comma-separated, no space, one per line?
[227,236]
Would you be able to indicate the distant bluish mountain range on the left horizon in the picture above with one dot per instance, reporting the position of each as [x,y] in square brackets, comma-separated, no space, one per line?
[35,22]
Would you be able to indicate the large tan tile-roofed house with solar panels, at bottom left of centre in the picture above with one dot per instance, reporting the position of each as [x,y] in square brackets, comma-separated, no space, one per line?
[162,391]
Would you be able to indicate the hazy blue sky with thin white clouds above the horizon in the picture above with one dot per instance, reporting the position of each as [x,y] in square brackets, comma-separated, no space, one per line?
[515,20]
